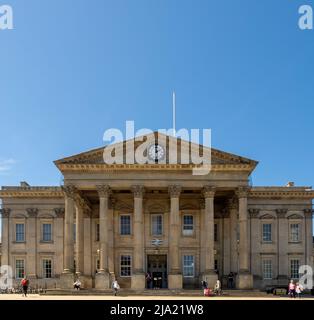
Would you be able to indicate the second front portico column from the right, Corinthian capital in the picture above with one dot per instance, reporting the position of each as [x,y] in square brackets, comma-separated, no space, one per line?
[209,275]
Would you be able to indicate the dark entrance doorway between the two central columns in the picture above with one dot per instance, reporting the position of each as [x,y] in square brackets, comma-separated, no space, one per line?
[157,271]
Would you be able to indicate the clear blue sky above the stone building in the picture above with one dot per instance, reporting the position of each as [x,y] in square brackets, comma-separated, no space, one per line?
[72,69]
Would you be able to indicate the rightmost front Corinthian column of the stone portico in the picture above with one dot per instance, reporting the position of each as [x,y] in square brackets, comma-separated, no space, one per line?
[244,279]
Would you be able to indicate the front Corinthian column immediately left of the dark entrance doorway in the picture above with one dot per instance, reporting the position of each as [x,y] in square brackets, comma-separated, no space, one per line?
[138,276]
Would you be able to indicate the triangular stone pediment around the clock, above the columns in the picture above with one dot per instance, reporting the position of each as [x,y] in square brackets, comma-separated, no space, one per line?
[184,151]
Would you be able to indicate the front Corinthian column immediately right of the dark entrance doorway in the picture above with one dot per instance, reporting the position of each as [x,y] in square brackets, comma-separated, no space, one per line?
[175,276]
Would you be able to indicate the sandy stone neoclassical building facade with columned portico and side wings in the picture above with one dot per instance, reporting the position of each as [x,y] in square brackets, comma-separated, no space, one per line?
[126,220]
